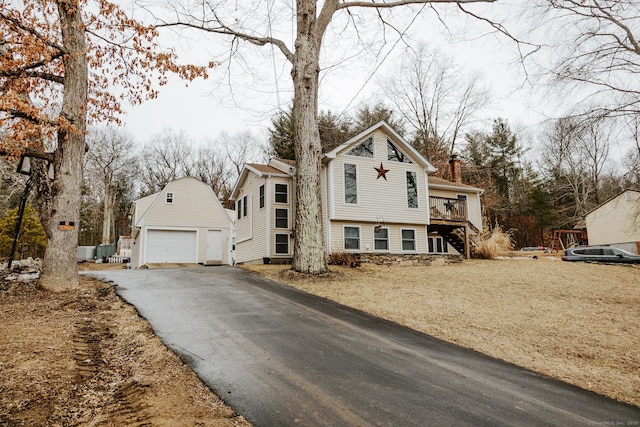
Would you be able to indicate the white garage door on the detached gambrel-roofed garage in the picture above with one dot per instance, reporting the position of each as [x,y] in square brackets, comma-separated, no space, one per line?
[171,246]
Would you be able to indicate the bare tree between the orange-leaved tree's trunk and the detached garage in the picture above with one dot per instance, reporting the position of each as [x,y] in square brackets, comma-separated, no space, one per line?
[110,162]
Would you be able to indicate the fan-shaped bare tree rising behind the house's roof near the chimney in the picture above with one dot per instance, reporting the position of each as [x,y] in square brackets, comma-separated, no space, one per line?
[437,98]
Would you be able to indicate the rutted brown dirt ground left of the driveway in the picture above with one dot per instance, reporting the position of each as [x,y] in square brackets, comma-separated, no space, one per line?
[86,358]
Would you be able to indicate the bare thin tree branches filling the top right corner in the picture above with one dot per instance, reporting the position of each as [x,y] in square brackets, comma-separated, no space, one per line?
[598,52]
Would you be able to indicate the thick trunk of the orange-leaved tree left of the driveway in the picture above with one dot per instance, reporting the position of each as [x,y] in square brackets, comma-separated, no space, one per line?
[60,266]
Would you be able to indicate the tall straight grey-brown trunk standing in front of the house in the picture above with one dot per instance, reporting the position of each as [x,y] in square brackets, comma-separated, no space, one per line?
[309,254]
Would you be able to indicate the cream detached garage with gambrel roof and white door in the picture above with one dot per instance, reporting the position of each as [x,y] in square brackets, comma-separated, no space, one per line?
[184,223]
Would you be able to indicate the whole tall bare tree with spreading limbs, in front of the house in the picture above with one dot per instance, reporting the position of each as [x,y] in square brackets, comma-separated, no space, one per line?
[245,22]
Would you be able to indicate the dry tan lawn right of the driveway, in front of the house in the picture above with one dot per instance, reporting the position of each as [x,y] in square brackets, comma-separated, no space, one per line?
[576,322]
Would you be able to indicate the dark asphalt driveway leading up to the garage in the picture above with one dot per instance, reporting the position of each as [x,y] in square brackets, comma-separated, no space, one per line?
[281,357]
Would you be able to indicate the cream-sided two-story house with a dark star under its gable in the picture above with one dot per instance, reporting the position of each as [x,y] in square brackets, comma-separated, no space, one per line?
[377,198]
